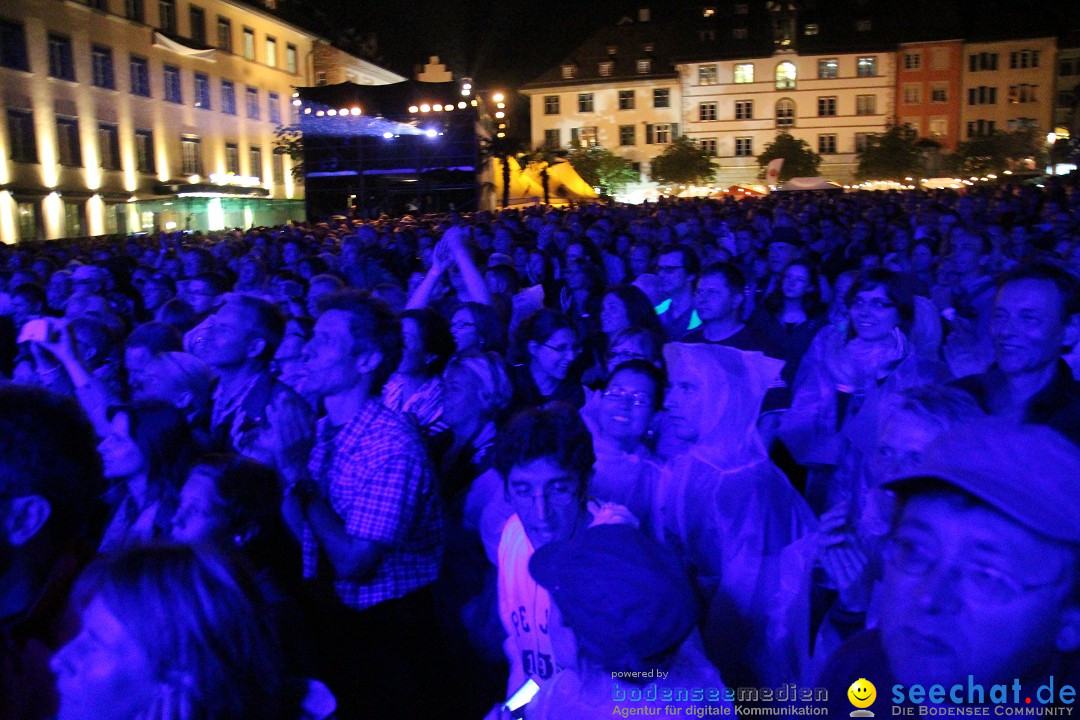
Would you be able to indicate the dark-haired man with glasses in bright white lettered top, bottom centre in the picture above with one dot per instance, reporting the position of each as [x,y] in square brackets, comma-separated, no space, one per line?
[546,460]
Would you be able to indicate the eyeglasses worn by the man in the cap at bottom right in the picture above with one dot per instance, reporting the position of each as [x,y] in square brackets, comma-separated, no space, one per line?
[977,583]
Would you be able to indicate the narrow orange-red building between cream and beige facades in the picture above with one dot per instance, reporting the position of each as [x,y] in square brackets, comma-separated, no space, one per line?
[929,89]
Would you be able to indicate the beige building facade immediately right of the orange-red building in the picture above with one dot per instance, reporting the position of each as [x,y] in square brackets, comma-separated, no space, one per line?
[1007,86]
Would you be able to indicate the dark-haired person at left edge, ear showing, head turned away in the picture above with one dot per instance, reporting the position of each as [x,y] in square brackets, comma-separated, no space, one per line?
[50,507]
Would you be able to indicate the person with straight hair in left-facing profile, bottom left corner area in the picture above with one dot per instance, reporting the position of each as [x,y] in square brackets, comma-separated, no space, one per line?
[217,657]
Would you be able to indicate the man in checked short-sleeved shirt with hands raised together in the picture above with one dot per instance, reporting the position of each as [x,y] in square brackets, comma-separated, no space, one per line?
[366,504]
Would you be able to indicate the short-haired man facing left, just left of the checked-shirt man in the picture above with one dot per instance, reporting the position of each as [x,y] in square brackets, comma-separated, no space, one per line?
[238,343]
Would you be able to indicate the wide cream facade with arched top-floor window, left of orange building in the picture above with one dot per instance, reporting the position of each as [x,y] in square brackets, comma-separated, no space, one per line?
[833,101]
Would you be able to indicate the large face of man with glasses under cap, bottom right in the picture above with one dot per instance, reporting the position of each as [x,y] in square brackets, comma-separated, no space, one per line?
[964,596]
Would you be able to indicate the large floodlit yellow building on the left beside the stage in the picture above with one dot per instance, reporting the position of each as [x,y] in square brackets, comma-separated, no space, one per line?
[125,116]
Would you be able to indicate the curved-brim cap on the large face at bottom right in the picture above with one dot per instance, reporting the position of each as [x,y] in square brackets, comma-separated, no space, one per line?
[1029,473]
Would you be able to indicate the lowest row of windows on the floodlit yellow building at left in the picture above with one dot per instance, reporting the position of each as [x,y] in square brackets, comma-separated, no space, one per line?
[24,148]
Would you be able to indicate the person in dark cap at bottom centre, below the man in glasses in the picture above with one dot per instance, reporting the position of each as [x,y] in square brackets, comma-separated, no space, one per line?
[624,618]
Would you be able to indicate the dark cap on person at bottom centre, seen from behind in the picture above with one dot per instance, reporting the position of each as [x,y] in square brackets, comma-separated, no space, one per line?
[625,596]
